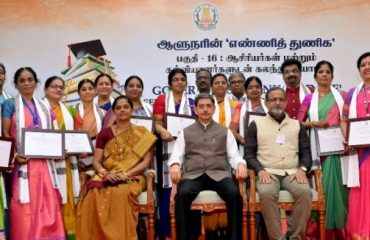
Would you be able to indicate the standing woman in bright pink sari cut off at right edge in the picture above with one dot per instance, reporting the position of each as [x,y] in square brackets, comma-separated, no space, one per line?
[356,105]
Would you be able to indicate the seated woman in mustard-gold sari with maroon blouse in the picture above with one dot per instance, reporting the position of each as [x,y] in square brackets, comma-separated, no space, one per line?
[109,210]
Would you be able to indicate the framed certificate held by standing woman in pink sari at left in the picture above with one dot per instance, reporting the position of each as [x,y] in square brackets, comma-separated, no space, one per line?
[42,143]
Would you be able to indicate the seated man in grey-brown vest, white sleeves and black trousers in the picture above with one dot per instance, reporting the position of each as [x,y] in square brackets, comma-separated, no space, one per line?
[201,159]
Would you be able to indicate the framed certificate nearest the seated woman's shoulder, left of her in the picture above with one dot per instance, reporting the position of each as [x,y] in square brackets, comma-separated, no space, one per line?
[77,142]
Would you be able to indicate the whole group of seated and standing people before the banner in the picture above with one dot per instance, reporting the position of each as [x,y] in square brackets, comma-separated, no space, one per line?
[280,147]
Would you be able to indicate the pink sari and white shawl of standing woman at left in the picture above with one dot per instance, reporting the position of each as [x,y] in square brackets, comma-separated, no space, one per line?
[35,213]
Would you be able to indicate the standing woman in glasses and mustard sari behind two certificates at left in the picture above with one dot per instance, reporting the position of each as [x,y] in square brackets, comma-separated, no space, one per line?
[67,170]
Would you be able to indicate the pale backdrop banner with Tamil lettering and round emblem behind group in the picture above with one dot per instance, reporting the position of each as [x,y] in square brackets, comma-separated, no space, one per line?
[148,38]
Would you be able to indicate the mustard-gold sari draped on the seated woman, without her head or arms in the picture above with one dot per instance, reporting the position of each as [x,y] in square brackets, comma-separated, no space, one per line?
[110,210]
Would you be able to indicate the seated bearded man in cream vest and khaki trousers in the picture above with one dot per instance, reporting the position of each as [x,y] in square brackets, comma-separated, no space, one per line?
[277,148]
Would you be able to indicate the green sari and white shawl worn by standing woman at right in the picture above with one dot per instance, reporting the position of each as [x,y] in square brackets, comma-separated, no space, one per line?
[327,108]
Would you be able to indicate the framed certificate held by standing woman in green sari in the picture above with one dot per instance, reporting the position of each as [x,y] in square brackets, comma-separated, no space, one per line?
[329,141]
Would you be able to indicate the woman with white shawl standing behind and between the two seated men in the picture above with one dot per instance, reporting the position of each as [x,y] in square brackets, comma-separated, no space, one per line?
[254,103]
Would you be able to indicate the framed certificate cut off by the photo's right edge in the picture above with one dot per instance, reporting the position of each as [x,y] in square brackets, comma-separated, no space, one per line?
[358,132]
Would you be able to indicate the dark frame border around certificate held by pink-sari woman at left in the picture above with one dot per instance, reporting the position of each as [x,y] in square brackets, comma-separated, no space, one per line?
[40,131]
